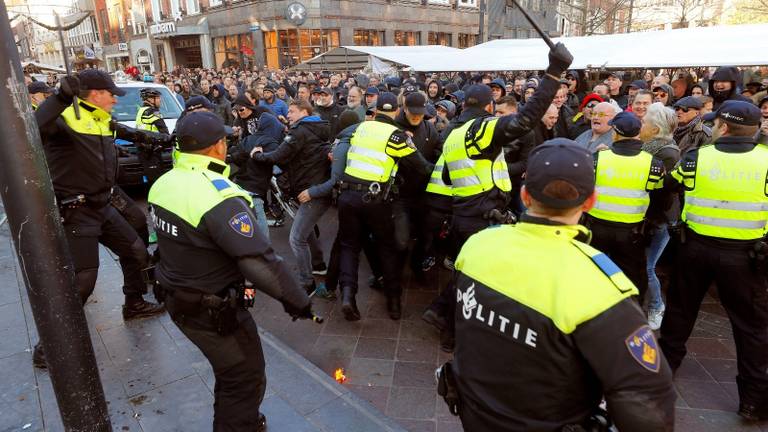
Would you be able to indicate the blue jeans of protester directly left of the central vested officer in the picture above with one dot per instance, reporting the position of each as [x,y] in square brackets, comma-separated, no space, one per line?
[302,232]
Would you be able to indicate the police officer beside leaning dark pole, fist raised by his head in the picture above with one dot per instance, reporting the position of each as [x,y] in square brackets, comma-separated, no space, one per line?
[82,159]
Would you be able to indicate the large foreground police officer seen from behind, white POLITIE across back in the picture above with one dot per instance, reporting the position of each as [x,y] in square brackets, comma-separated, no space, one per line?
[565,339]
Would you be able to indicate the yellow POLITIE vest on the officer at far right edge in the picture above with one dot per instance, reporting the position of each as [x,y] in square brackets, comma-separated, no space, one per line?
[726,193]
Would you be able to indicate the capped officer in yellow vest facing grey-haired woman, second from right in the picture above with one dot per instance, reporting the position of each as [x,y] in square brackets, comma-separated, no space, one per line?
[628,180]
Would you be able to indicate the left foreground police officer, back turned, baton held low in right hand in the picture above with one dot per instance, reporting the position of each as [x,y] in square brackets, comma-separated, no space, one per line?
[208,245]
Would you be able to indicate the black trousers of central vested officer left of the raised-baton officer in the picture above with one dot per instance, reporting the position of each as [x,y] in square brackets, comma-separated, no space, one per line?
[356,220]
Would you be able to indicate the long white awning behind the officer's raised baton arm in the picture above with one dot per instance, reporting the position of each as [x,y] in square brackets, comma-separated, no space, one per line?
[743,45]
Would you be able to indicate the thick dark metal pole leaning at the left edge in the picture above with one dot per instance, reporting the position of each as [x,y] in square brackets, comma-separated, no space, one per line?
[38,237]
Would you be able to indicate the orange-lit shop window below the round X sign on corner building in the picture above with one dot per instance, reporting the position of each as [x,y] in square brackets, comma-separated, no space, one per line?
[285,48]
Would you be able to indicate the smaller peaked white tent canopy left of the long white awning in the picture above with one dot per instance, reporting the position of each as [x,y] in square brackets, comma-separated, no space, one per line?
[378,58]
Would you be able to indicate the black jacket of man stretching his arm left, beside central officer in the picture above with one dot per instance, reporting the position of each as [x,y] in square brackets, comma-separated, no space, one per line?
[303,153]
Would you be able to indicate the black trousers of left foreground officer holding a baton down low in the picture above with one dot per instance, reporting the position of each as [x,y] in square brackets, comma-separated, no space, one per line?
[238,366]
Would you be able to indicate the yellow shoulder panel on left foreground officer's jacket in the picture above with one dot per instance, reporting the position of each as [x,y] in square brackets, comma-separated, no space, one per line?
[191,175]
